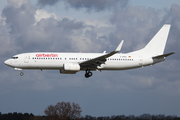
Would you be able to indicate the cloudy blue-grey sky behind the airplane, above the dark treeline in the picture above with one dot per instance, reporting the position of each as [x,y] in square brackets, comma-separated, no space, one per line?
[89,26]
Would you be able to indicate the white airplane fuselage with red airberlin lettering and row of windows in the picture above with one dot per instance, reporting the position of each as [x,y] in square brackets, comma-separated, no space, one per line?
[57,60]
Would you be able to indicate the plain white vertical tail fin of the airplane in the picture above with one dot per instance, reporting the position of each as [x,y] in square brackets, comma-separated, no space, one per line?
[157,44]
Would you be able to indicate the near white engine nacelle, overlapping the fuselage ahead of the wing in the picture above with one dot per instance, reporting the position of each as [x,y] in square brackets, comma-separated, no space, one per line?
[71,67]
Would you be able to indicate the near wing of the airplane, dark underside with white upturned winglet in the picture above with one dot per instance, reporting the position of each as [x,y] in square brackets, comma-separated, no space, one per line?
[95,62]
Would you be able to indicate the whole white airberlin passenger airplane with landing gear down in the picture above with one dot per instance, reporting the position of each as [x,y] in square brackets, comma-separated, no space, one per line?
[71,63]
